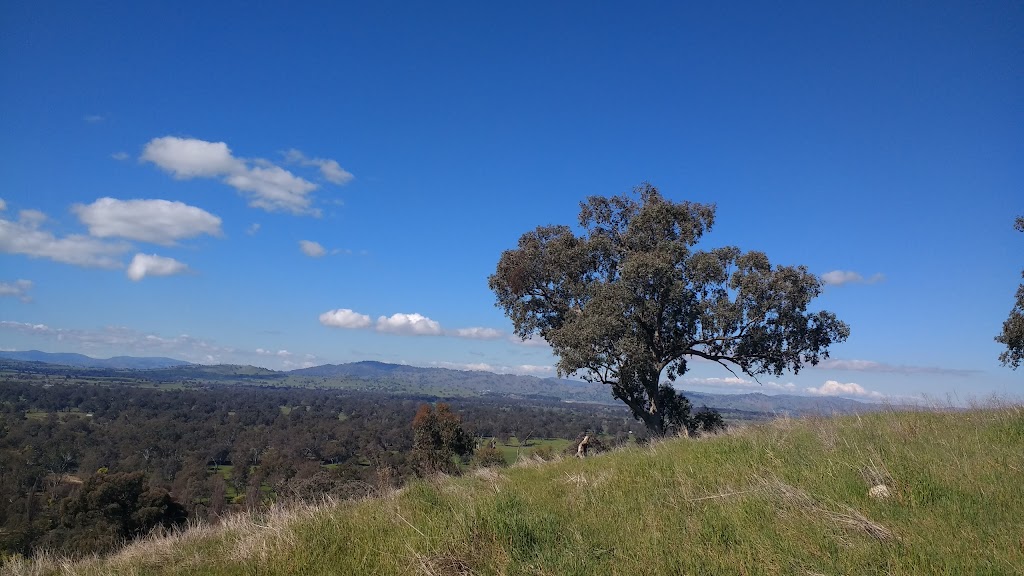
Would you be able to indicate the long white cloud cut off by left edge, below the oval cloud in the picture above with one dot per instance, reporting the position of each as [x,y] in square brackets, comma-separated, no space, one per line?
[26,237]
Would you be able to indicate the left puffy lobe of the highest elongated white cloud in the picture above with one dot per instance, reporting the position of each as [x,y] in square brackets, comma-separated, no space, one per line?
[192,158]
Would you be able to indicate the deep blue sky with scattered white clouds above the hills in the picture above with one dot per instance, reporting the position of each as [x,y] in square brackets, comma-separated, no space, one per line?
[223,183]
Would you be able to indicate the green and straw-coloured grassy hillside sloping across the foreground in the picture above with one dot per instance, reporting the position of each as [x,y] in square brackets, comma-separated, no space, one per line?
[789,498]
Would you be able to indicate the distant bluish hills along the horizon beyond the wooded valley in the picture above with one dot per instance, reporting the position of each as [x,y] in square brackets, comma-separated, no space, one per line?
[405,380]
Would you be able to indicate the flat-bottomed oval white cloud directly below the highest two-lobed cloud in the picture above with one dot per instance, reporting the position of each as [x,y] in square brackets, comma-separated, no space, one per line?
[159,222]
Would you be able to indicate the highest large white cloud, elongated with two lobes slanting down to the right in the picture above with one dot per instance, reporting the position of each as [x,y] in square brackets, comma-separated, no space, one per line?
[268,187]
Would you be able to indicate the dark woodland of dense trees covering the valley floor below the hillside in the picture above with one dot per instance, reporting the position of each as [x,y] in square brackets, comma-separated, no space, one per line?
[87,466]
